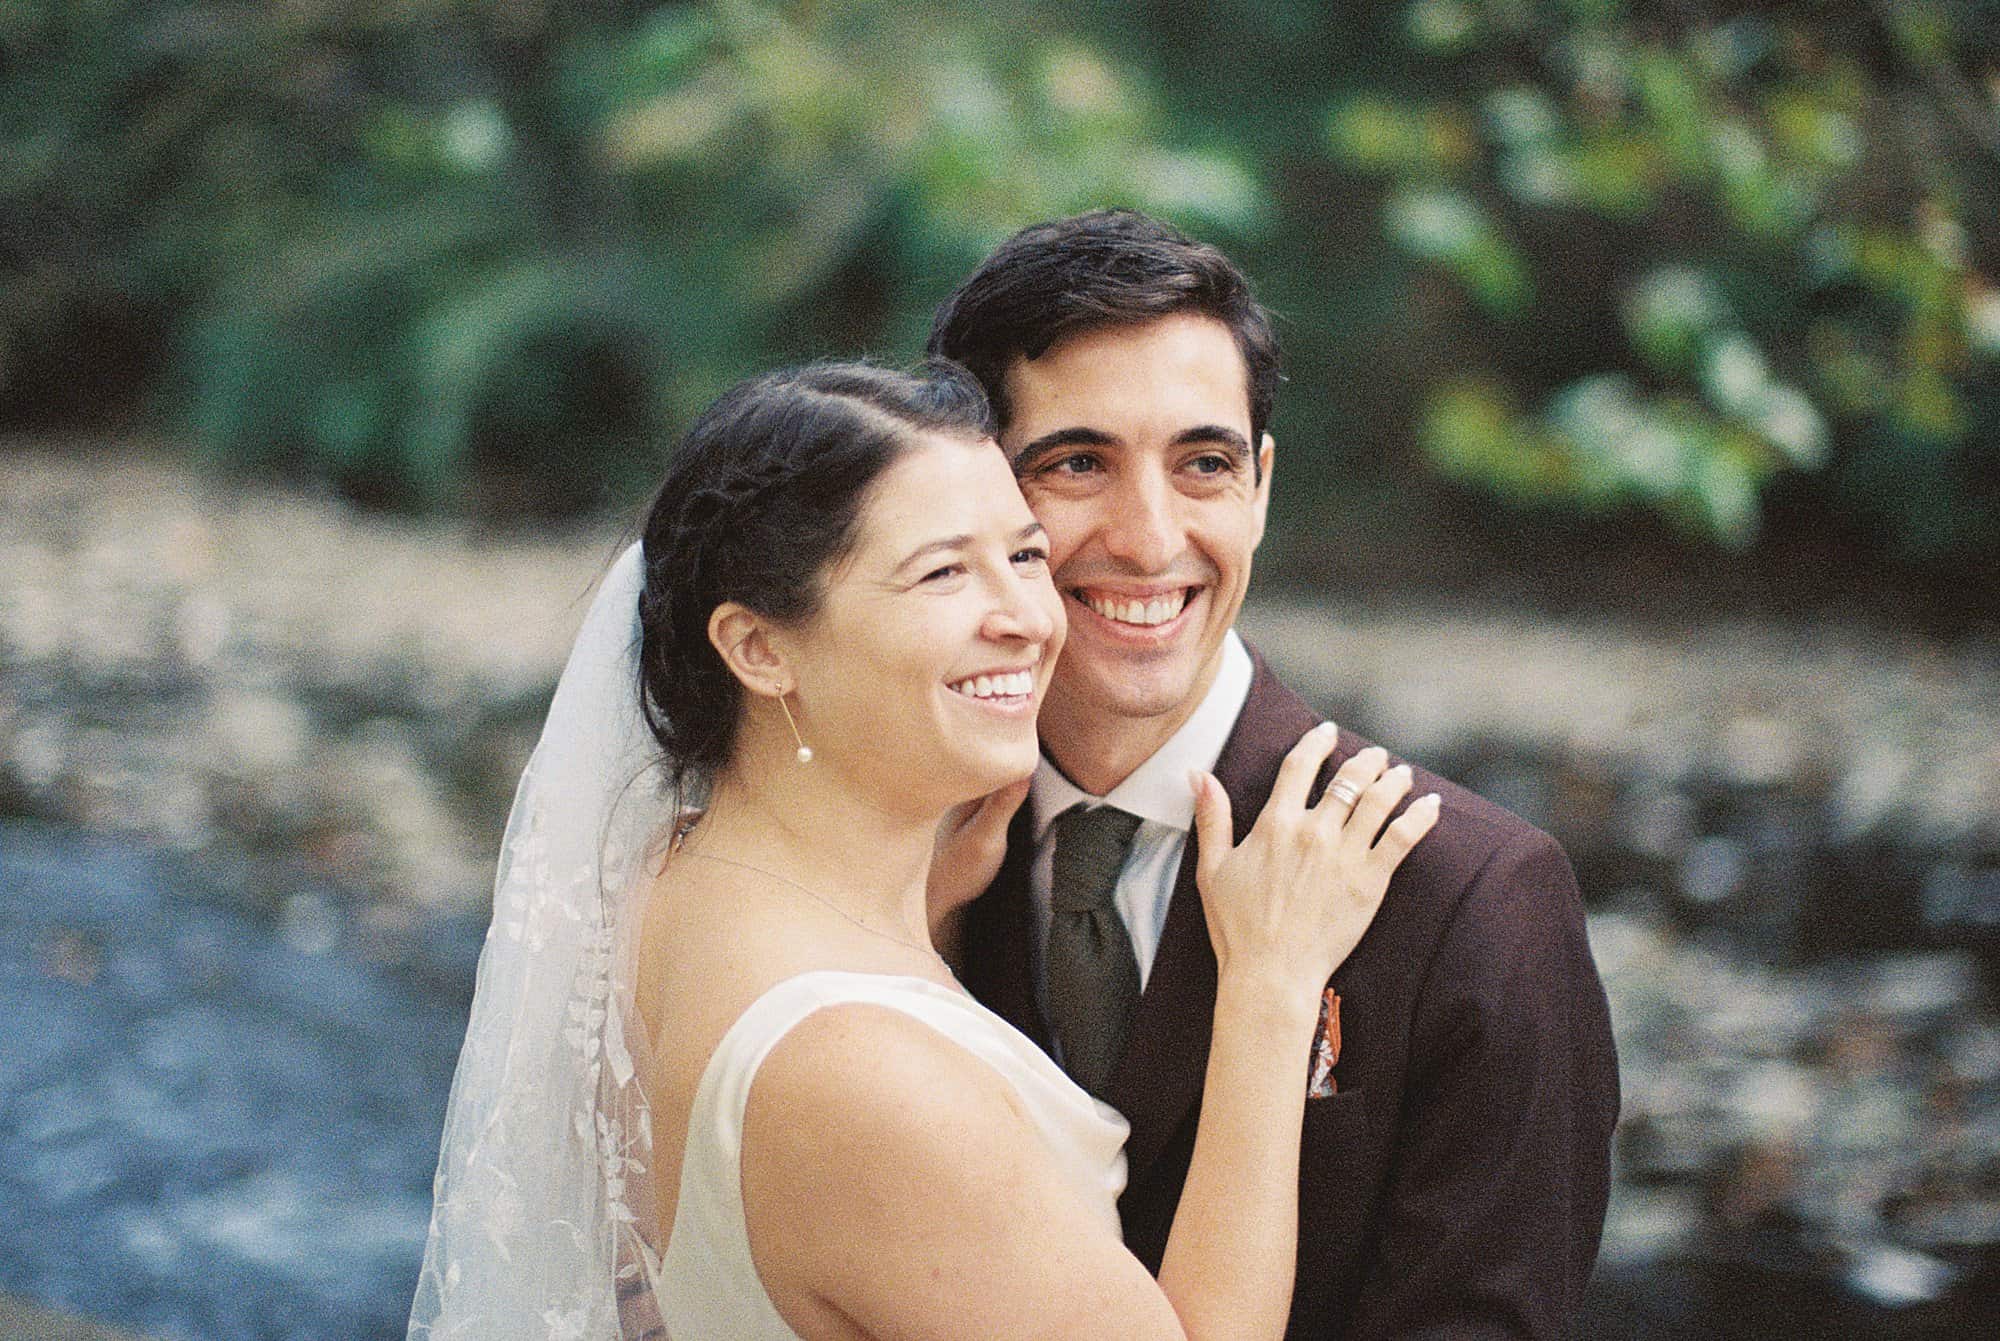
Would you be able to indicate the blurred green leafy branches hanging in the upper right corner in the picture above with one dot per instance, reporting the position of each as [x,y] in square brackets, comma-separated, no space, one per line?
[1777,219]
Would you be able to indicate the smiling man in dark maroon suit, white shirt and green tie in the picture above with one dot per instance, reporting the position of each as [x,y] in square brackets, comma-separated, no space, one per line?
[1453,1174]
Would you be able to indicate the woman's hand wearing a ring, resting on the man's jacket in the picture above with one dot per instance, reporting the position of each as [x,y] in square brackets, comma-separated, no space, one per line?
[1295,898]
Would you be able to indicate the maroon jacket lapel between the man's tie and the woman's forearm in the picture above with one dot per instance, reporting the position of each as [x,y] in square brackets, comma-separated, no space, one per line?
[1159,1080]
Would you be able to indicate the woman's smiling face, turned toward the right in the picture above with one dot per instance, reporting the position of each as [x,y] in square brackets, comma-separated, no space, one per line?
[927,663]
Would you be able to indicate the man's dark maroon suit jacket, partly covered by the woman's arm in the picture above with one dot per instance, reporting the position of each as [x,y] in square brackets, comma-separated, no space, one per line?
[1455,1186]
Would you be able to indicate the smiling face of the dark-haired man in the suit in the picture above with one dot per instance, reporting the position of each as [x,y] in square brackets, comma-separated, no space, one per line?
[1133,447]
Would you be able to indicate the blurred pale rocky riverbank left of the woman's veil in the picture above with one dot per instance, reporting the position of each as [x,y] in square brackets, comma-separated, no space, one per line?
[213,665]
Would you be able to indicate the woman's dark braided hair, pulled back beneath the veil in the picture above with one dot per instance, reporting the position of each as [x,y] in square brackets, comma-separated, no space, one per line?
[761,499]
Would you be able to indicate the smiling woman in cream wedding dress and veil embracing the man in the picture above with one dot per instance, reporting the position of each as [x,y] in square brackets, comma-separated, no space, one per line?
[719,1080]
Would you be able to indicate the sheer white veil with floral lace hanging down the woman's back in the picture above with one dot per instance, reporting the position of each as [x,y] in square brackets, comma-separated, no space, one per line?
[545,1212]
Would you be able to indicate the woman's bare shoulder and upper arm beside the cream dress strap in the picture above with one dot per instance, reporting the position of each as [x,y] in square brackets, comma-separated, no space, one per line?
[893,1184]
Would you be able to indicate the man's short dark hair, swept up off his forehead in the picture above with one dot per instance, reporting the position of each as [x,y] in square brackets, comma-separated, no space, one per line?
[1093,271]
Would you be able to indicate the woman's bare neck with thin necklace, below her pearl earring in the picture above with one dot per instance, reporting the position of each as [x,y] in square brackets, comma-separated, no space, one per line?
[807,824]
